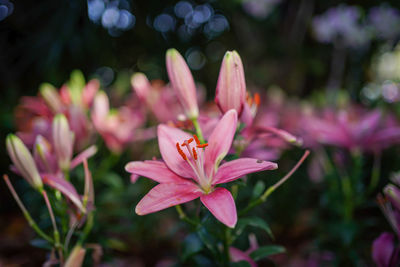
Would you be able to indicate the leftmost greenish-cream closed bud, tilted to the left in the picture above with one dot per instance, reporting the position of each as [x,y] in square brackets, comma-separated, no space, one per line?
[23,161]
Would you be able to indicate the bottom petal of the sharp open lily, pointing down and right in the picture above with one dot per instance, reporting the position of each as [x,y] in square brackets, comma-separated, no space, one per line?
[221,204]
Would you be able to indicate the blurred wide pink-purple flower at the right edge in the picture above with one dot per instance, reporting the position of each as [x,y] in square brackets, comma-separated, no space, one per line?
[352,128]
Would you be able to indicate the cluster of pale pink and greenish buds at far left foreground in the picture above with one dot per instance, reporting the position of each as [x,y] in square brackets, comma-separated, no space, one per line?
[50,161]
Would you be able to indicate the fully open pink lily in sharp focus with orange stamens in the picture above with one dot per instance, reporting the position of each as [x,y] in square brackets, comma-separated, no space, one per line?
[187,175]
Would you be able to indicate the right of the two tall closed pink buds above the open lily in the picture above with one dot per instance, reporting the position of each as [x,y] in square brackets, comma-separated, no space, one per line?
[231,86]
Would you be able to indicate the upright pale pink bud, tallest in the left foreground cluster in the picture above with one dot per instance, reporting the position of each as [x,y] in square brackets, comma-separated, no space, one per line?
[63,140]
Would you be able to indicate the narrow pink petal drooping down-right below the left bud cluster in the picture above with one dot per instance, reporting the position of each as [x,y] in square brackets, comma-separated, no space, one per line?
[64,187]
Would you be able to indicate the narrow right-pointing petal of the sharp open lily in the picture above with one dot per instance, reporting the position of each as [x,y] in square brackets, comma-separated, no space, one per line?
[235,169]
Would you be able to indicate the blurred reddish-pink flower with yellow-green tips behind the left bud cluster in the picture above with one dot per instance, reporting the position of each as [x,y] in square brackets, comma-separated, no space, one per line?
[34,115]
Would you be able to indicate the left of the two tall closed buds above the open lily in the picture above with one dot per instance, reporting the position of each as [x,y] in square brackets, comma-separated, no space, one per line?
[182,82]
